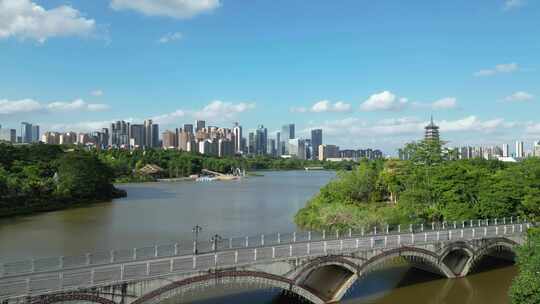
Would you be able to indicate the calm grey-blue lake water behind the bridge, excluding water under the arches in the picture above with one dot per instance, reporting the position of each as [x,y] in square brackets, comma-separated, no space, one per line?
[155,213]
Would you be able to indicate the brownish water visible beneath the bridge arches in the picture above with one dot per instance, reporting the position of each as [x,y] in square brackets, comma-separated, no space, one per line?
[396,284]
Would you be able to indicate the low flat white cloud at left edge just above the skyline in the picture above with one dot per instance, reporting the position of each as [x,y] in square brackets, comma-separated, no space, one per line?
[30,105]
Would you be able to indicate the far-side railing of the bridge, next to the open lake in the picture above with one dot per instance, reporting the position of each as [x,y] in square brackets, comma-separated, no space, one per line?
[187,247]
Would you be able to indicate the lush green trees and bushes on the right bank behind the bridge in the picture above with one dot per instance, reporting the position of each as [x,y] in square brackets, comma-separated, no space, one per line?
[428,187]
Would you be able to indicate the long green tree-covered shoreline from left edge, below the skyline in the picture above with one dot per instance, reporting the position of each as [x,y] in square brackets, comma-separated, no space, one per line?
[40,177]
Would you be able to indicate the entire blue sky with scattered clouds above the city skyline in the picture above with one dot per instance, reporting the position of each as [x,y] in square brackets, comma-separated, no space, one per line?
[370,73]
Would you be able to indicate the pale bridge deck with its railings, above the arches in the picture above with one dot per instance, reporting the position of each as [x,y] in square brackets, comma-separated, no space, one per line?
[17,280]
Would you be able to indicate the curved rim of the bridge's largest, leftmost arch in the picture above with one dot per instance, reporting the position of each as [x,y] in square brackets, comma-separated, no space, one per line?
[270,280]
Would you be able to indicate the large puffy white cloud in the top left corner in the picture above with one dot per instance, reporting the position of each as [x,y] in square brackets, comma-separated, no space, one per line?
[27,20]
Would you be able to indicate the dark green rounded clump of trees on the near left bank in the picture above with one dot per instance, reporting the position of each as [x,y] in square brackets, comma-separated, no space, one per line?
[37,178]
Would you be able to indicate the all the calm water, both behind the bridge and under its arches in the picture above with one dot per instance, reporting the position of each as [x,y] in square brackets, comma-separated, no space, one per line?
[157,213]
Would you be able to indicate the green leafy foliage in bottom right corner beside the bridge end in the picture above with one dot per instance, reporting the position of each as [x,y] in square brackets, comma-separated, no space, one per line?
[526,286]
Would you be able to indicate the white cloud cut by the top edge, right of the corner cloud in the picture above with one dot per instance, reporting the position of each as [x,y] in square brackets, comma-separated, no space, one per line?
[180,9]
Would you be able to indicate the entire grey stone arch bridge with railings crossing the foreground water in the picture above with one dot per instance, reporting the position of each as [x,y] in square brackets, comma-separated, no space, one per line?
[320,270]
